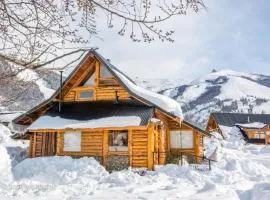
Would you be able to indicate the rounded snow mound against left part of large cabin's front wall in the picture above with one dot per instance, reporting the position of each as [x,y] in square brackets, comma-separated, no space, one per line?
[59,170]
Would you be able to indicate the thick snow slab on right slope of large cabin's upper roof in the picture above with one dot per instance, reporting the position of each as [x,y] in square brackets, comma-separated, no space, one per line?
[162,101]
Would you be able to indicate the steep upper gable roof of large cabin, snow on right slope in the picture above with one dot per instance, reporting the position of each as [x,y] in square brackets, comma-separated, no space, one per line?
[163,103]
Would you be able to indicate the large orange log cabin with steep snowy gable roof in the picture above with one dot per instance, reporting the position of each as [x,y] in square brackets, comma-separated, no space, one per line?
[100,112]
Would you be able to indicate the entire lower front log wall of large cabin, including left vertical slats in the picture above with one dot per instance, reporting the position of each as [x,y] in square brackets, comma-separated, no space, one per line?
[95,143]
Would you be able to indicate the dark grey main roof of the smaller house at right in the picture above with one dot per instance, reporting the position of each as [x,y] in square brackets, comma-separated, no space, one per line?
[231,119]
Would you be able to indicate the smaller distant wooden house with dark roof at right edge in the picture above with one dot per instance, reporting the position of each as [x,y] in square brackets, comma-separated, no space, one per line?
[255,127]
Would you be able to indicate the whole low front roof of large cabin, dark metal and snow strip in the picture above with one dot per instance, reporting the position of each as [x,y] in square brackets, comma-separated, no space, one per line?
[94,115]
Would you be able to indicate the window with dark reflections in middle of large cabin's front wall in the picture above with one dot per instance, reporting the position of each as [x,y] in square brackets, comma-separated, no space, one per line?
[118,141]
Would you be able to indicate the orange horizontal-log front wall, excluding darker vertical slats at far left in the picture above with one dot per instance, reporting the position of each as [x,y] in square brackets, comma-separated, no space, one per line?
[94,142]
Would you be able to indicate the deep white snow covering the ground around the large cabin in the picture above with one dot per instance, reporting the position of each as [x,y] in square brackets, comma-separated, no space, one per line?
[242,172]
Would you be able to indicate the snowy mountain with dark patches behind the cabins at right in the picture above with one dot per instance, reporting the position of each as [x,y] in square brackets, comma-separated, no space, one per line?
[225,91]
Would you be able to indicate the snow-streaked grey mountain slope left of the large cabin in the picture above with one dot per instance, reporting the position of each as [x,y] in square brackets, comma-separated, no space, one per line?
[22,90]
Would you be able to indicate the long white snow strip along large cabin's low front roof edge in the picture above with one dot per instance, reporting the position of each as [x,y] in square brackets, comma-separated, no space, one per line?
[49,122]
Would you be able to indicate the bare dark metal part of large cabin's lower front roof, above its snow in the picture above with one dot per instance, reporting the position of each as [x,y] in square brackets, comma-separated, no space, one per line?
[93,110]
